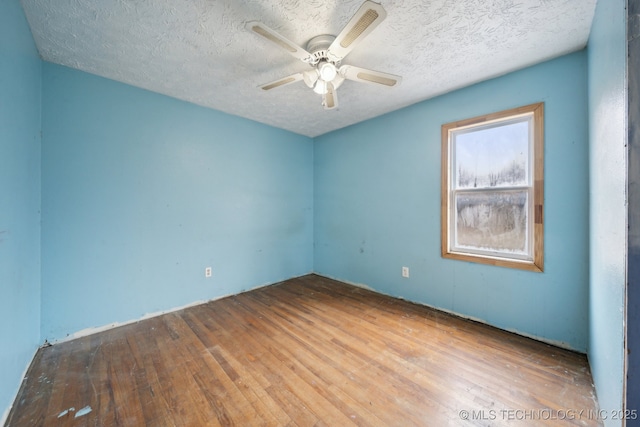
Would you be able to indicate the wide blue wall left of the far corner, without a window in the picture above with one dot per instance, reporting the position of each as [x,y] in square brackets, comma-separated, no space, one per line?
[141,192]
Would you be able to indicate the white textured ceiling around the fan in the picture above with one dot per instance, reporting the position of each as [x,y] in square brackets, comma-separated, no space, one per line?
[199,50]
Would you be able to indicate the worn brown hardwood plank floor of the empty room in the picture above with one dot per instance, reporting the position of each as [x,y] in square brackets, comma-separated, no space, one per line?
[306,352]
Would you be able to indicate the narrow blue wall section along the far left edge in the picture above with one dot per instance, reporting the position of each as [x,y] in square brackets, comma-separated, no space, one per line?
[20,76]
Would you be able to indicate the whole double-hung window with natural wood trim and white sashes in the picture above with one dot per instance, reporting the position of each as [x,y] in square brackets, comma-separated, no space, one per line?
[493,189]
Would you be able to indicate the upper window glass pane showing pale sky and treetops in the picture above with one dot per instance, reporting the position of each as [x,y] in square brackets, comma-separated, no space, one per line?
[496,156]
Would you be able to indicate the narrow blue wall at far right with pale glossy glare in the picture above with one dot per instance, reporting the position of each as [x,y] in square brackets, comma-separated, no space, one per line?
[607,210]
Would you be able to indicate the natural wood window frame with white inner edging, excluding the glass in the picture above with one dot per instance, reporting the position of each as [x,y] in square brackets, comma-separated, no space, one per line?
[535,259]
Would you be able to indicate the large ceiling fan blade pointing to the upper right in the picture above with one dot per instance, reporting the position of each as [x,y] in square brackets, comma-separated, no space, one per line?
[366,19]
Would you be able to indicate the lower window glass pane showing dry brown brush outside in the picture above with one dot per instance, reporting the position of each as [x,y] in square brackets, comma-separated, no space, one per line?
[492,221]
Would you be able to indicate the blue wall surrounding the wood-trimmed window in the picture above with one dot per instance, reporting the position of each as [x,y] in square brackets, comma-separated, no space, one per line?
[377,207]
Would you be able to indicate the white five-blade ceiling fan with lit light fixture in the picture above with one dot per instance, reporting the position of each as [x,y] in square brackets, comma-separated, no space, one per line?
[325,52]
